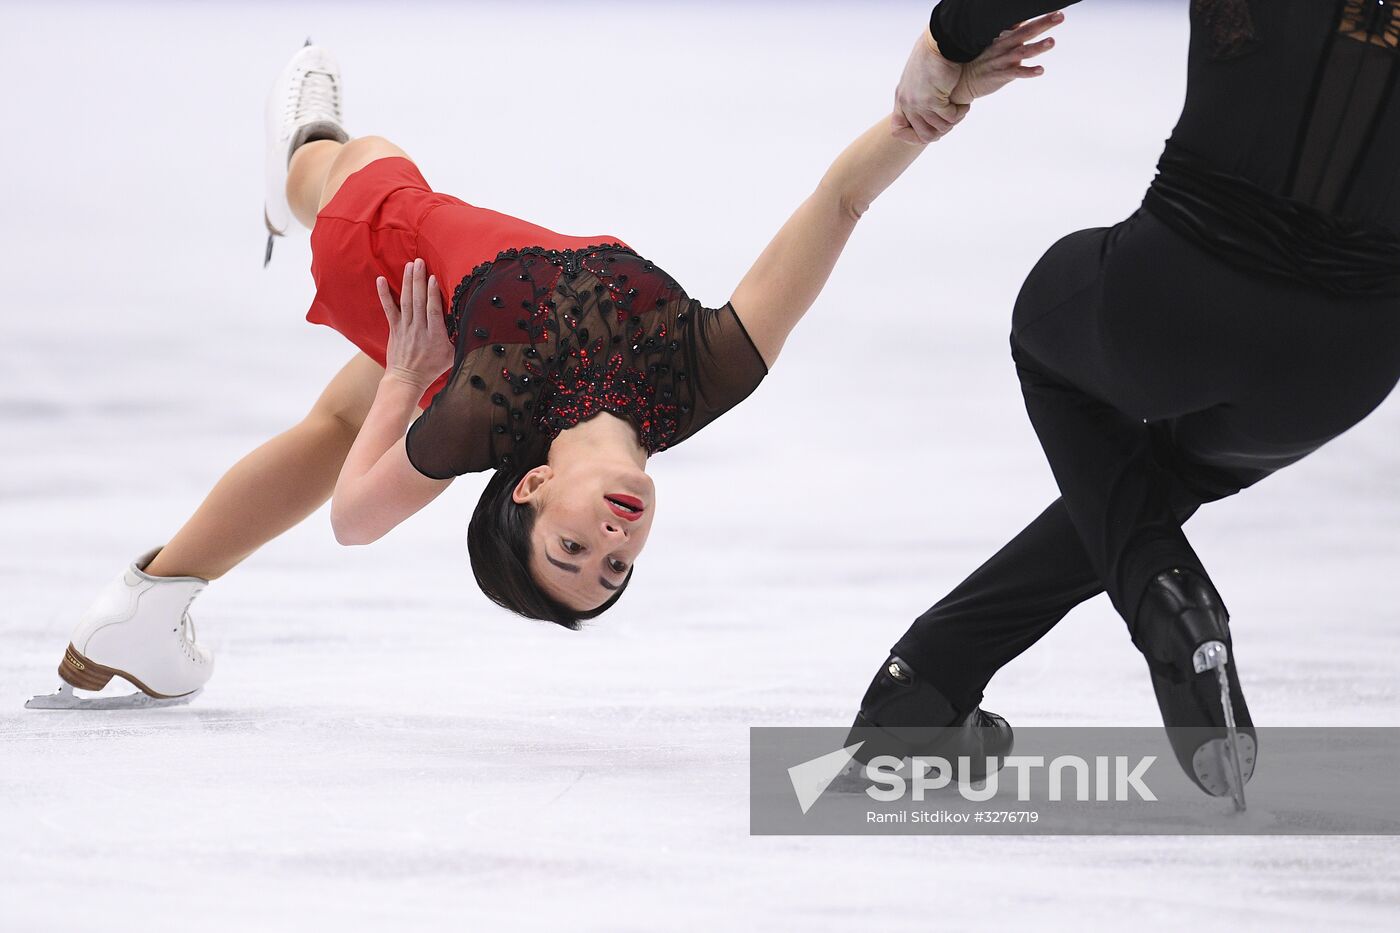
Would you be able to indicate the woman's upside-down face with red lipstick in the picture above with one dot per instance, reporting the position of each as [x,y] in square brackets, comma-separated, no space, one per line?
[591,522]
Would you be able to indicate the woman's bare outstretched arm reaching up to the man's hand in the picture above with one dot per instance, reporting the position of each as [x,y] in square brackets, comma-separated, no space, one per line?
[796,265]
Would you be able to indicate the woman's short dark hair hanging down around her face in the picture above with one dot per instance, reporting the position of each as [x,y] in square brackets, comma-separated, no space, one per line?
[498,541]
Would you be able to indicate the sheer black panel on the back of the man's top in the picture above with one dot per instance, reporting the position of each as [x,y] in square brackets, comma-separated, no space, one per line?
[1350,96]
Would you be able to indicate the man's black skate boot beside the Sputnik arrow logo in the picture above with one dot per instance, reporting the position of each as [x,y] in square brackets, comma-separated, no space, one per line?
[904,717]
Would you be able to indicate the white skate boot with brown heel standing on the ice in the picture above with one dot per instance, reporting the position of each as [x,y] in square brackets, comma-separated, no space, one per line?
[138,630]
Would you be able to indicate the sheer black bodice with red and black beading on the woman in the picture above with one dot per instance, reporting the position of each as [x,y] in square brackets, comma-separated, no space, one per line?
[549,338]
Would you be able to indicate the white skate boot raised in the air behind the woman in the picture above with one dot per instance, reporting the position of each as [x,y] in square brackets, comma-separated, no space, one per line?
[304,104]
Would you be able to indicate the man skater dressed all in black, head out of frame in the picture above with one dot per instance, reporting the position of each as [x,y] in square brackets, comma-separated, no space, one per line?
[1237,323]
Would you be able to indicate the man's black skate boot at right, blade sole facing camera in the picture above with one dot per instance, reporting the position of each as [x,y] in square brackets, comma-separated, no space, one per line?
[1184,633]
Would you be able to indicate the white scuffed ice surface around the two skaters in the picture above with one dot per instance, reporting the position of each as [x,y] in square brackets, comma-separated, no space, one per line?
[383,750]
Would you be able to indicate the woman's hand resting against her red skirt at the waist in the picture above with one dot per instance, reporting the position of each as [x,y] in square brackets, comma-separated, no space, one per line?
[419,351]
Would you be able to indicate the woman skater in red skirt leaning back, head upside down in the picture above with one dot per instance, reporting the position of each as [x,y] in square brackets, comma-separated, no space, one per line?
[562,362]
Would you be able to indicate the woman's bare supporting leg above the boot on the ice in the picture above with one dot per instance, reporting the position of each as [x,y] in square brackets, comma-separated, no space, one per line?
[275,487]
